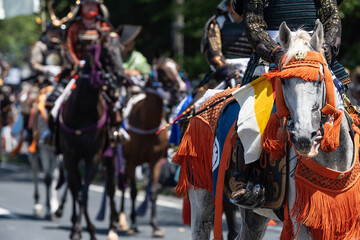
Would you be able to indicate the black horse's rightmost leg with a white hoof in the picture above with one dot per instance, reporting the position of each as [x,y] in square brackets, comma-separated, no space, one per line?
[110,189]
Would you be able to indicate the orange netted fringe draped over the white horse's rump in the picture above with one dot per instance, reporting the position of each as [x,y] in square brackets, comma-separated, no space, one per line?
[196,148]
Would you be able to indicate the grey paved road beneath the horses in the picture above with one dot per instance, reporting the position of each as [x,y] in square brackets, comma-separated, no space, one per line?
[18,223]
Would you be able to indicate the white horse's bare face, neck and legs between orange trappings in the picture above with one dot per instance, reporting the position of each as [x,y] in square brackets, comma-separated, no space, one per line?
[304,101]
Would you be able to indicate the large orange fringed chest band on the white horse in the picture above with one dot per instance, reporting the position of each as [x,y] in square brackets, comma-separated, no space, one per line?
[328,201]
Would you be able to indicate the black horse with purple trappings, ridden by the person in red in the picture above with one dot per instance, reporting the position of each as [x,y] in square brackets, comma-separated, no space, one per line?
[83,128]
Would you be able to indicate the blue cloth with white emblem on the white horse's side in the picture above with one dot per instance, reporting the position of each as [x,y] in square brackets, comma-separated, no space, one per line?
[226,120]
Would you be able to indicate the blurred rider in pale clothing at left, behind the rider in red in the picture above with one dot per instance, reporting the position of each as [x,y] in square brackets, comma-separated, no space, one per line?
[45,55]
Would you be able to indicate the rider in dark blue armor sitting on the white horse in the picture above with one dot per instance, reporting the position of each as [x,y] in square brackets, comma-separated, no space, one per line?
[262,22]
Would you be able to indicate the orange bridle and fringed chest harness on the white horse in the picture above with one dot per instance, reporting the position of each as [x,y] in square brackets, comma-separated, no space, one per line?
[326,200]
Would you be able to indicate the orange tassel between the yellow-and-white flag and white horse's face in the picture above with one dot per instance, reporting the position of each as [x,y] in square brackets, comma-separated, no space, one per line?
[275,138]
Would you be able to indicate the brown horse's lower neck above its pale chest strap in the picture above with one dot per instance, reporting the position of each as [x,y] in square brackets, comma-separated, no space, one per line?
[150,112]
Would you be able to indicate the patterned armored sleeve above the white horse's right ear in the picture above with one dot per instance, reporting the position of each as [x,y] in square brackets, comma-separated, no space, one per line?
[329,15]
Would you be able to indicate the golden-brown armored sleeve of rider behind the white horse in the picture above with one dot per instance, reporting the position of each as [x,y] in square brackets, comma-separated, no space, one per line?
[211,45]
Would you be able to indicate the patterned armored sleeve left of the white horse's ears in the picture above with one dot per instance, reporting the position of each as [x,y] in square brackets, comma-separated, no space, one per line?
[255,29]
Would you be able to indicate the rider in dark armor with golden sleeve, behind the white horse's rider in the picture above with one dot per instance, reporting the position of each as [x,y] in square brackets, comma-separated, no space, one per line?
[224,44]
